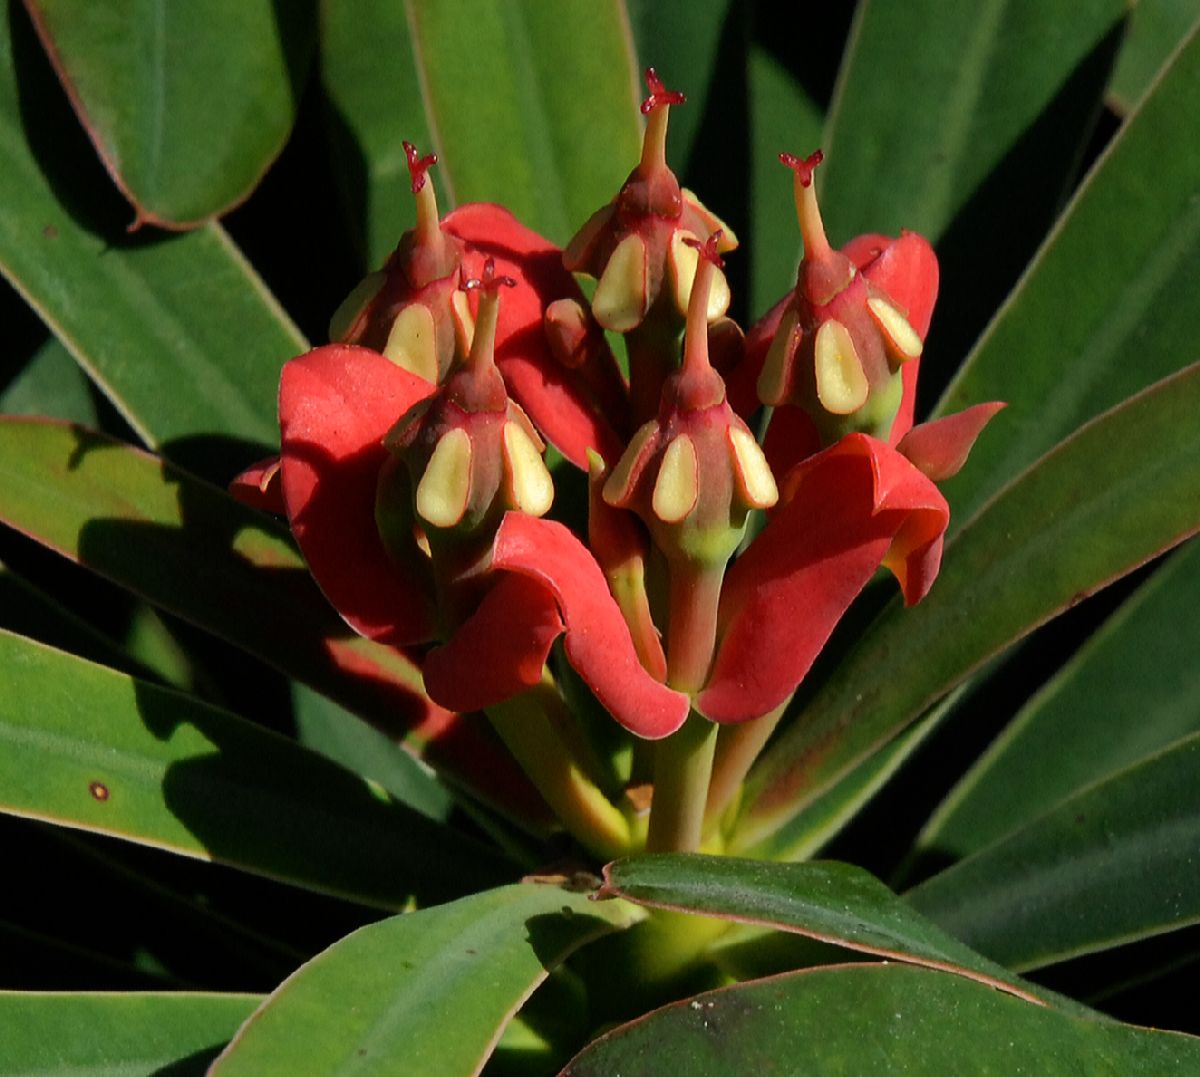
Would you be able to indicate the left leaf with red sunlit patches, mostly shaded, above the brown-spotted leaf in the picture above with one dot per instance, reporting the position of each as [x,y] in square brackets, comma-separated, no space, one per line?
[199,553]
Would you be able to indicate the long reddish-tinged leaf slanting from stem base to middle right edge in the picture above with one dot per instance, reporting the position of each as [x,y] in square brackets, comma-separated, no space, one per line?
[1102,503]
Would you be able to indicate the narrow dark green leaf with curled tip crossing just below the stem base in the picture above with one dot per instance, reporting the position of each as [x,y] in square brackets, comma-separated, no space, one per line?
[829,901]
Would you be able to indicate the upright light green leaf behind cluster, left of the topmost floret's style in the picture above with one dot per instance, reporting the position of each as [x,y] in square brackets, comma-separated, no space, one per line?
[535,105]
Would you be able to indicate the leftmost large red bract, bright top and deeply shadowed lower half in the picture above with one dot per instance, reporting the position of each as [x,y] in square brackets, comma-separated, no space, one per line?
[337,404]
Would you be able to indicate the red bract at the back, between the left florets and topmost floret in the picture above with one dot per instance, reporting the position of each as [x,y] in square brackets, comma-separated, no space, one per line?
[548,392]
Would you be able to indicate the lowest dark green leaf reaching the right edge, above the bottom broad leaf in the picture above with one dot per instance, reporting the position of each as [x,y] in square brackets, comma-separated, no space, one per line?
[1113,864]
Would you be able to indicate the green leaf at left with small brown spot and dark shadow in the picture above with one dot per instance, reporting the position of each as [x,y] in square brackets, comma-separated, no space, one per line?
[89,748]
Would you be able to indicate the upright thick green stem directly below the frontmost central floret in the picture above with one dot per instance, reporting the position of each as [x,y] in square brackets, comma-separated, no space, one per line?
[683,763]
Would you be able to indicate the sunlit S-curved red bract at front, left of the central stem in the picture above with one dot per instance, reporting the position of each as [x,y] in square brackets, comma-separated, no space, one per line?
[598,642]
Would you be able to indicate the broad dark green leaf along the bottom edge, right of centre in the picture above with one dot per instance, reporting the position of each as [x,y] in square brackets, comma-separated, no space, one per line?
[878,1020]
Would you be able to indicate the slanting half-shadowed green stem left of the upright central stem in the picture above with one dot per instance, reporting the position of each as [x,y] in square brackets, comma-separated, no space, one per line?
[530,733]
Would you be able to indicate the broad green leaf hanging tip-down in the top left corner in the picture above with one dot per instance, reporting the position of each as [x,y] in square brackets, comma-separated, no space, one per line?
[182,146]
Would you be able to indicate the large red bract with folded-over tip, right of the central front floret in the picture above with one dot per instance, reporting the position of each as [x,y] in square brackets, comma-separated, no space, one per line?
[853,508]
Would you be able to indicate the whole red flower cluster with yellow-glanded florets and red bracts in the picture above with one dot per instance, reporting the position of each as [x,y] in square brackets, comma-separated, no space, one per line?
[715,564]
